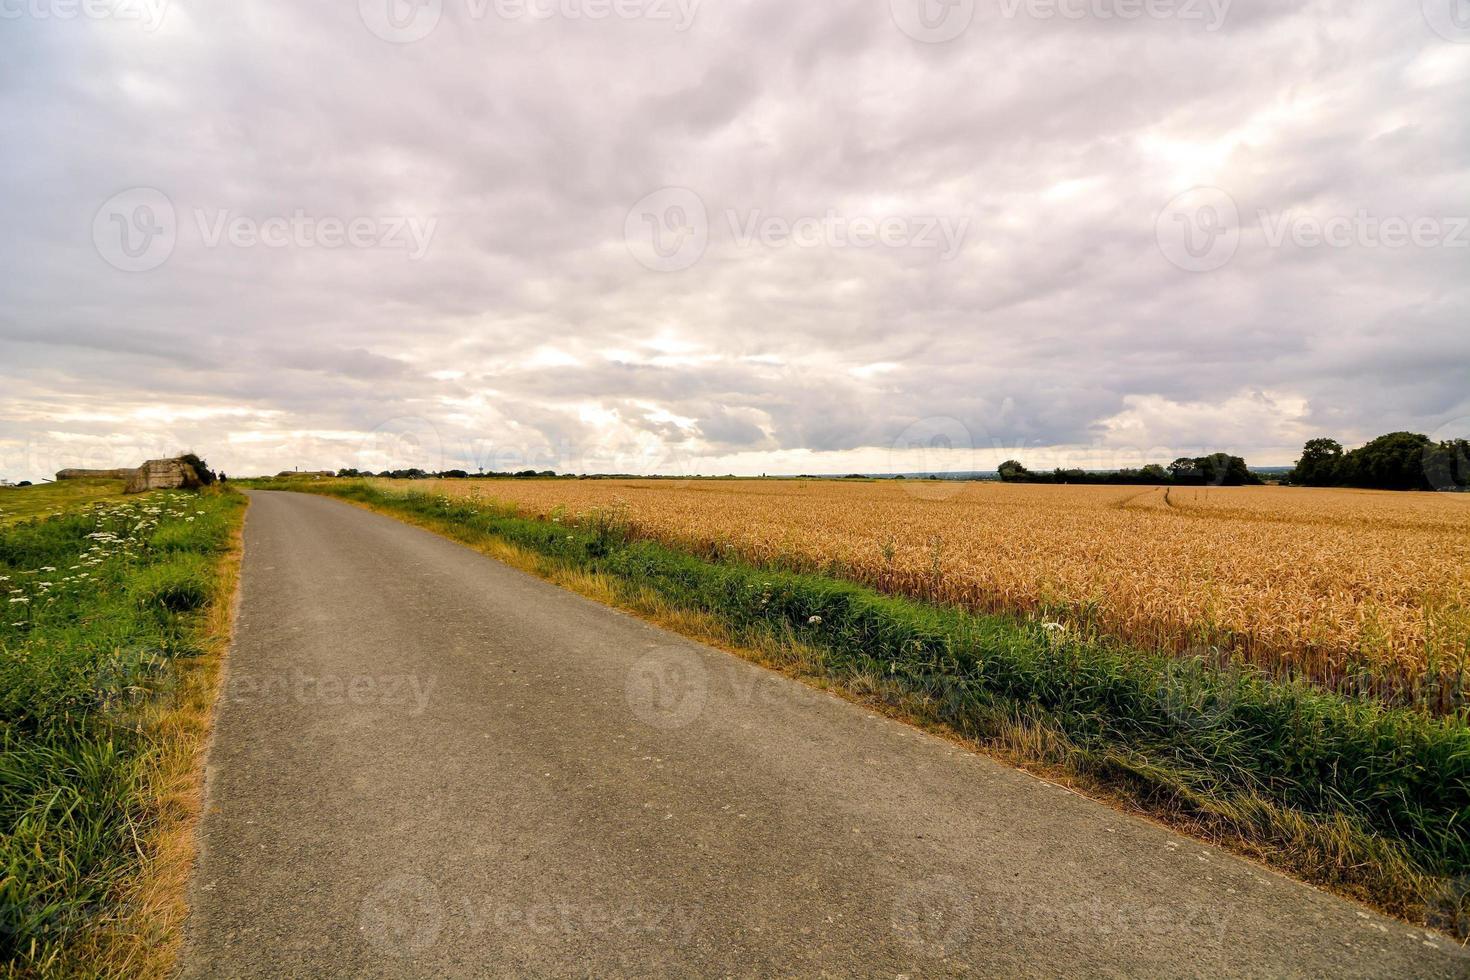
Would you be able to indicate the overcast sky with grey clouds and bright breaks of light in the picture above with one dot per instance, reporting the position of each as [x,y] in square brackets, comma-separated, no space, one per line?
[724,236]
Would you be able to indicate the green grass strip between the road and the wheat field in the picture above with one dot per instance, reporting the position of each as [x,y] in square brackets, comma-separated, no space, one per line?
[1369,800]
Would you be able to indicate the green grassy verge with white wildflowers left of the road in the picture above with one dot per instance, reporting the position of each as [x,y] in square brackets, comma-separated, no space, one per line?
[98,609]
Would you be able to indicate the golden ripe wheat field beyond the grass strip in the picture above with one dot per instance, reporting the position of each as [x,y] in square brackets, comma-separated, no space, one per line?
[1321,581]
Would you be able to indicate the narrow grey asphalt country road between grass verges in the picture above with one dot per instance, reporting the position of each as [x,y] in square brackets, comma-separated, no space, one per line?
[431,765]
